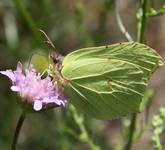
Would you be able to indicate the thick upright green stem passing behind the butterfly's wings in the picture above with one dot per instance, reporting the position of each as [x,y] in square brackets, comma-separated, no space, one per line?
[141,31]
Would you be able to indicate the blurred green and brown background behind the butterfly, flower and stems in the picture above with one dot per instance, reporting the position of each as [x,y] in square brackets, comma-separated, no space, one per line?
[70,24]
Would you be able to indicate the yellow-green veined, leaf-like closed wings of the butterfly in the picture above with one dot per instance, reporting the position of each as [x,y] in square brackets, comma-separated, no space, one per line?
[109,81]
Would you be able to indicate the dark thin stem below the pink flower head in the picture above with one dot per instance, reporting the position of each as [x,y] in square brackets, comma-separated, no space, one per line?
[17,130]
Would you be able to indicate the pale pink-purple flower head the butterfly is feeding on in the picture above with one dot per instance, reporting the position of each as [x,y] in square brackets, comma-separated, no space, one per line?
[41,93]
